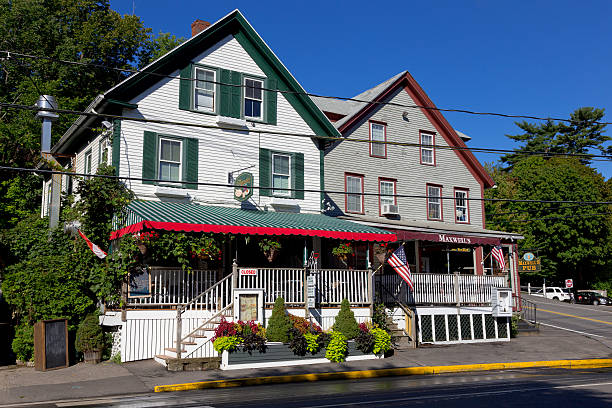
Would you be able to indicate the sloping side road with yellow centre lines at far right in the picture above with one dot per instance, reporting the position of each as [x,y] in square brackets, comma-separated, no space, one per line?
[592,321]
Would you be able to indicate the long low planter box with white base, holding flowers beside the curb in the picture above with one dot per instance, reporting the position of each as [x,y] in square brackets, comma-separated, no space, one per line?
[280,355]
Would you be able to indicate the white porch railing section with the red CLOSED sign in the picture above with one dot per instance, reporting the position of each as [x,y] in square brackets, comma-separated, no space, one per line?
[277,282]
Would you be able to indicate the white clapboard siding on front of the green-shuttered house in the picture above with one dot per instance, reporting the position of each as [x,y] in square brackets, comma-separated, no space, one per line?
[220,151]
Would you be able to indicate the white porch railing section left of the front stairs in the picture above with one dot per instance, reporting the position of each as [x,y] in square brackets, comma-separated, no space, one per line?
[171,286]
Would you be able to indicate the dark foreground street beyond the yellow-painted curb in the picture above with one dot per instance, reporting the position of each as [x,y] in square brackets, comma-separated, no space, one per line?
[525,388]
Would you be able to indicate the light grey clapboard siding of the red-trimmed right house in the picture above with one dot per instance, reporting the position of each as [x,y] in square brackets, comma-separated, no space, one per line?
[402,163]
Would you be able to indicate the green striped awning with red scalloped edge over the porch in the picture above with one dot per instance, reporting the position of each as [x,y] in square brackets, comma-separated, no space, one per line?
[142,215]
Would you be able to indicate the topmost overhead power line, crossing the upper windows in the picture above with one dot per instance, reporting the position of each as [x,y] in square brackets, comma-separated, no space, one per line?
[135,71]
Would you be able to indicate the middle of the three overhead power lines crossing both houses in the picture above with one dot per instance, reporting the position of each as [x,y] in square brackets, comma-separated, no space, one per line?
[593,157]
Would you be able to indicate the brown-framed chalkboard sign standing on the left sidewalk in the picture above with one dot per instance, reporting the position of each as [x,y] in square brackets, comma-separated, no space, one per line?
[51,344]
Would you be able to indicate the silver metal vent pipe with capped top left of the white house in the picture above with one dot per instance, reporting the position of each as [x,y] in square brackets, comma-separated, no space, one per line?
[47,117]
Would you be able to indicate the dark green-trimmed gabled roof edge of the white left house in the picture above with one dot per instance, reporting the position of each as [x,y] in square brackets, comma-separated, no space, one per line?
[232,24]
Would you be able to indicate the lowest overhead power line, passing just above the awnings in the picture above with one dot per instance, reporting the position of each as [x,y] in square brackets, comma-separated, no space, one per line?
[210,184]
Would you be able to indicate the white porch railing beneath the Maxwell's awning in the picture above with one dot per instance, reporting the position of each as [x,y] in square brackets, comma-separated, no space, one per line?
[440,289]
